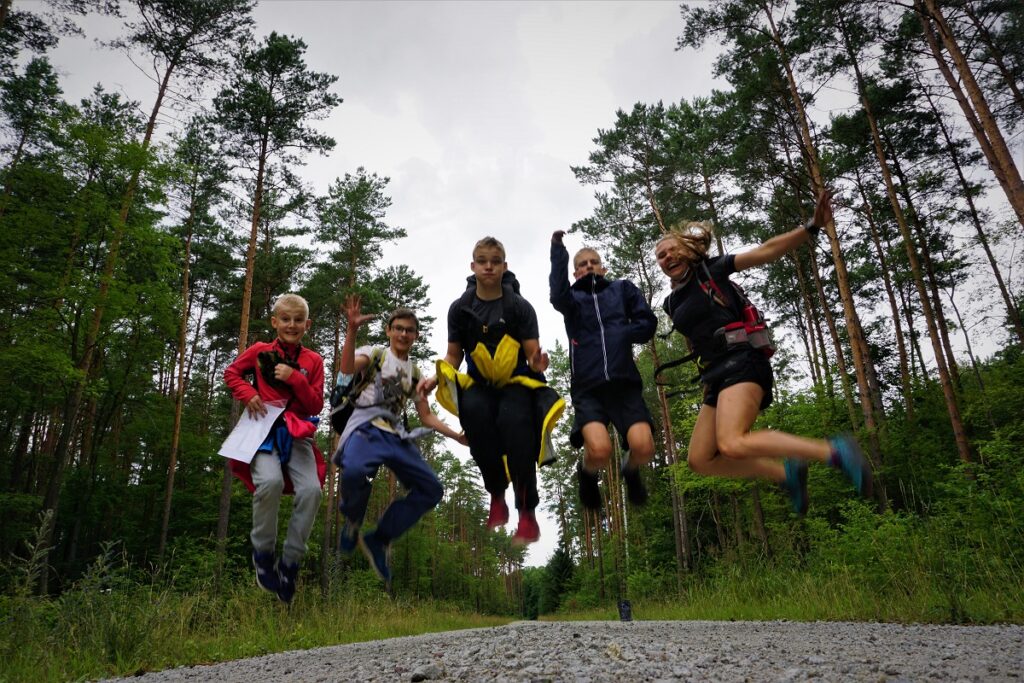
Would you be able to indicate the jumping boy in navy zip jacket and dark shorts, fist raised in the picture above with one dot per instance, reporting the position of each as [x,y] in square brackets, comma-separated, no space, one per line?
[604,319]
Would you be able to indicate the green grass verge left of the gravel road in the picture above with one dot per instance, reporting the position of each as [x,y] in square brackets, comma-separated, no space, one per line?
[94,634]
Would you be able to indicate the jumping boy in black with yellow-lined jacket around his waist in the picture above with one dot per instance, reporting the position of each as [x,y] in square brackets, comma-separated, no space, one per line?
[503,402]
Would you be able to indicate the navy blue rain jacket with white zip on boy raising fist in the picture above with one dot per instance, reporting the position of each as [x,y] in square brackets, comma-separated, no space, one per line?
[604,319]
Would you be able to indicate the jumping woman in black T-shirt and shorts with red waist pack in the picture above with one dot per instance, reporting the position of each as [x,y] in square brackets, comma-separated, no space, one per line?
[738,378]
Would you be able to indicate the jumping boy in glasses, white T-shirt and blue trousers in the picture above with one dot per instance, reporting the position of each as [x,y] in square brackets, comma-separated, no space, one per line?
[376,436]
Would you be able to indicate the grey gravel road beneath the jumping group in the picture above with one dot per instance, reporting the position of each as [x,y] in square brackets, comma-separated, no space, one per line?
[650,652]
